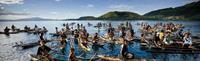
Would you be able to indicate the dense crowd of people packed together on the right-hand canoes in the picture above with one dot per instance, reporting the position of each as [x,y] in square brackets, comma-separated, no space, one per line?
[163,34]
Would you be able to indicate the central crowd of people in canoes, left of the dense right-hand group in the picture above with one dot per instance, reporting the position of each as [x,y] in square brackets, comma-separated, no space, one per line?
[84,39]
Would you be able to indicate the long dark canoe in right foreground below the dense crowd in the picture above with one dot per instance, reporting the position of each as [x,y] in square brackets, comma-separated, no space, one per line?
[171,49]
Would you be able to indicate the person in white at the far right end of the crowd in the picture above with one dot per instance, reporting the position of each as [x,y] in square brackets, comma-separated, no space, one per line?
[187,40]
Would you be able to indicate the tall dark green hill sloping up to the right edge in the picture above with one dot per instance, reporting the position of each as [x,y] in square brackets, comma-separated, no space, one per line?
[189,11]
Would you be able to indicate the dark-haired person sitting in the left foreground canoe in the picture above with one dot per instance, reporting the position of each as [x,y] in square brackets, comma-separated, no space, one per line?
[43,50]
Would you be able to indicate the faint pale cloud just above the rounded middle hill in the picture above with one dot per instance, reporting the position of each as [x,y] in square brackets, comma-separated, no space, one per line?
[121,7]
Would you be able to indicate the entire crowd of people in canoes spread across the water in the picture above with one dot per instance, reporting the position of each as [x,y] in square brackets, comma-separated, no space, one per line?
[159,34]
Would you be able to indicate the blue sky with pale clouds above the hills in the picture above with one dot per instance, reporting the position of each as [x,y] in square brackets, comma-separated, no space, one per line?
[70,9]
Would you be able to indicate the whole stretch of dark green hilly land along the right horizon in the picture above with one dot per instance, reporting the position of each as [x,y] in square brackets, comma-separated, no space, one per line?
[189,11]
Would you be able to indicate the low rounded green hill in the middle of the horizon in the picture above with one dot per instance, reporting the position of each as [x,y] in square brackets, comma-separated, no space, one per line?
[120,15]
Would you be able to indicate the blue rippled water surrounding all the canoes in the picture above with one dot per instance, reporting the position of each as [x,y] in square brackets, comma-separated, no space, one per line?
[8,53]
